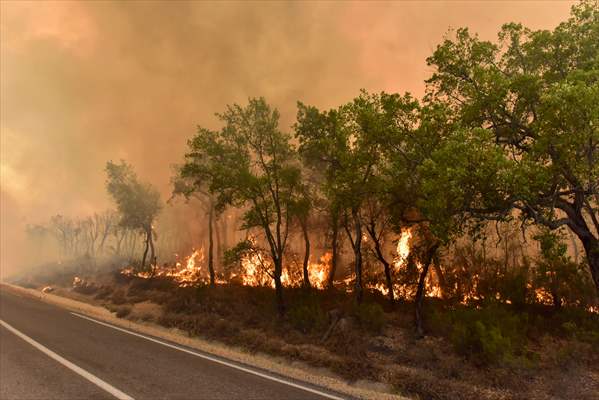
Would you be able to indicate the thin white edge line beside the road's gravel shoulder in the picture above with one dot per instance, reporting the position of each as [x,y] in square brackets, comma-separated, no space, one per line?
[214,359]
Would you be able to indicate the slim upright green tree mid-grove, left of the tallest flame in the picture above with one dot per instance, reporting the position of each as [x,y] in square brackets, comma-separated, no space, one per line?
[344,143]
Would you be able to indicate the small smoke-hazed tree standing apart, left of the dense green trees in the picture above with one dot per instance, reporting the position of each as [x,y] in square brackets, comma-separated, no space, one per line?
[138,203]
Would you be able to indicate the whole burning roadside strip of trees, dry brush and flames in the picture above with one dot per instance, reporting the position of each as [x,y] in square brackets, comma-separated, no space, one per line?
[447,246]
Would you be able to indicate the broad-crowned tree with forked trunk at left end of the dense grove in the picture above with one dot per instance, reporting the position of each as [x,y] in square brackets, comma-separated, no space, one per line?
[250,163]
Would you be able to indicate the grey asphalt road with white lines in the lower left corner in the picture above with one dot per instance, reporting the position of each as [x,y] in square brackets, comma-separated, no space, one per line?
[93,361]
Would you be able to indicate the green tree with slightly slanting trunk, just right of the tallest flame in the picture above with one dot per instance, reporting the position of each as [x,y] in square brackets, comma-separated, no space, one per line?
[412,138]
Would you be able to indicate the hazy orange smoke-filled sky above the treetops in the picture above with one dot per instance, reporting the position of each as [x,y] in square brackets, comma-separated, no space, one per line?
[86,82]
